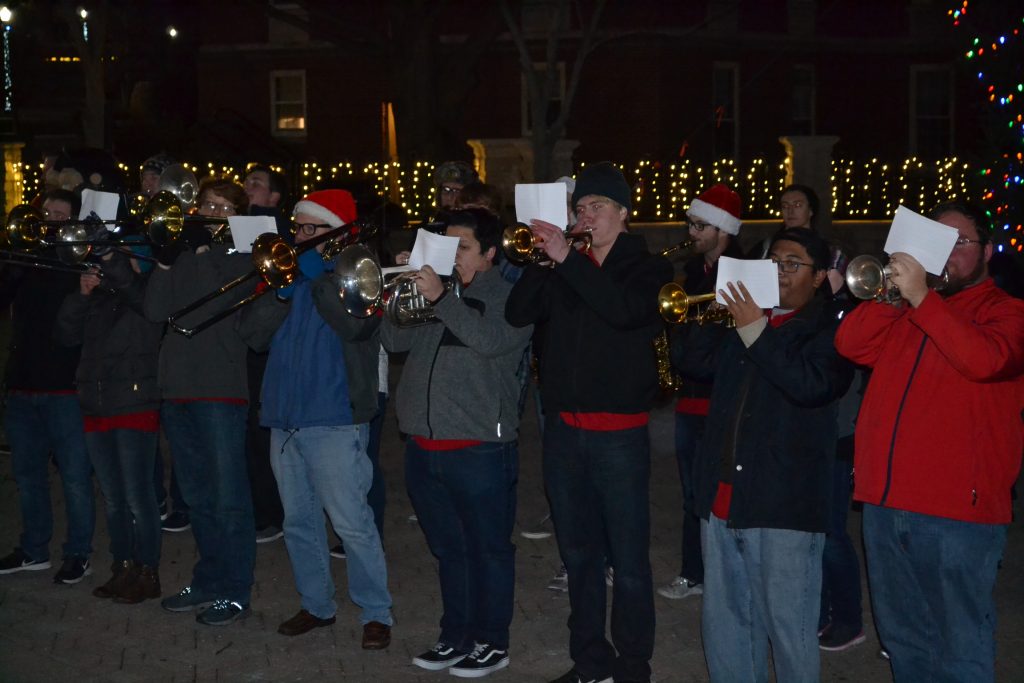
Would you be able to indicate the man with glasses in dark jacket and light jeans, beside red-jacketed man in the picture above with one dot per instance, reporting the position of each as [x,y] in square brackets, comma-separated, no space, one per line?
[764,467]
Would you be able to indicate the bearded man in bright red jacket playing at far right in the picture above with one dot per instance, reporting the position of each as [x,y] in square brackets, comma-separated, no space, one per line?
[938,447]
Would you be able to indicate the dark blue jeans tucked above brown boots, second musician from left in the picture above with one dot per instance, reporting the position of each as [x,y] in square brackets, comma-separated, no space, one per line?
[123,462]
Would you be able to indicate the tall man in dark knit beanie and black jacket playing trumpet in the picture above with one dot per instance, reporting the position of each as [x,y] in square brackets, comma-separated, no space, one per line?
[601,381]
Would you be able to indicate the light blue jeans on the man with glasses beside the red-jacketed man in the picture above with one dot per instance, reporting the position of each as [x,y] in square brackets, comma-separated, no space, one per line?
[761,586]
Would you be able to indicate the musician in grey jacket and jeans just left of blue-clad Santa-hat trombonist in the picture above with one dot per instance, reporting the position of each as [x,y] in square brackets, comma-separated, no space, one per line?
[205,404]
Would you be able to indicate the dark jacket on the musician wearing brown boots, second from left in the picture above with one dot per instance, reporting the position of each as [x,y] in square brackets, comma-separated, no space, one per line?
[117,374]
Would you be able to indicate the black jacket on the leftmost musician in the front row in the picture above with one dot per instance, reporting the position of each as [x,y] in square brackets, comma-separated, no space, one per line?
[37,362]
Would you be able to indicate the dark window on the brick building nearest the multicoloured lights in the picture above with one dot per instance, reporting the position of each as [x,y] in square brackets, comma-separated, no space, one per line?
[931,111]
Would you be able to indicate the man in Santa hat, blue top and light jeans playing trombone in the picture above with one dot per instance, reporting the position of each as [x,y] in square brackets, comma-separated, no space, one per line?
[320,395]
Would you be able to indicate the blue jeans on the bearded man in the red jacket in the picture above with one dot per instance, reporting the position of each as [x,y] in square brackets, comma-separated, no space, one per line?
[932,581]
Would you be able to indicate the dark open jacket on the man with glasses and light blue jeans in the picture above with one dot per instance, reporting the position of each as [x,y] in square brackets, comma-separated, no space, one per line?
[772,430]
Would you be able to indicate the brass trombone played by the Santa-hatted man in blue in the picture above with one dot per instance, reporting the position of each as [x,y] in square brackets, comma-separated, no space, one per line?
[277,264]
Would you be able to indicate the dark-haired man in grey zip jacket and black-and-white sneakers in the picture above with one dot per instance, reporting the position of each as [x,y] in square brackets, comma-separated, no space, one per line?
[458,402]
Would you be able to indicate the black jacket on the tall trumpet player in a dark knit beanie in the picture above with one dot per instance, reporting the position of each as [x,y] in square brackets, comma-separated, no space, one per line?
[599,354]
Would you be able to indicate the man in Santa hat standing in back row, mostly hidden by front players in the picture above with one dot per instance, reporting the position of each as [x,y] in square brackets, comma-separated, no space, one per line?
[714,226]
